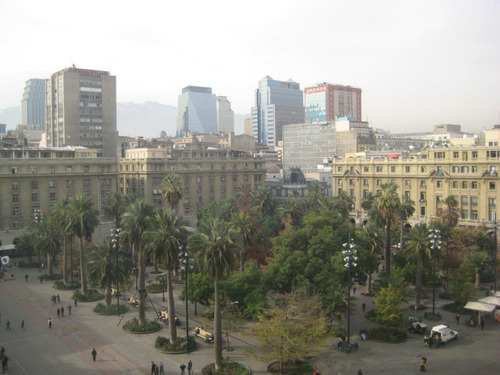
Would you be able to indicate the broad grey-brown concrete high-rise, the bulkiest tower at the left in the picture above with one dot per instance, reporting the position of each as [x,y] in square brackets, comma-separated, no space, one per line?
[81,110]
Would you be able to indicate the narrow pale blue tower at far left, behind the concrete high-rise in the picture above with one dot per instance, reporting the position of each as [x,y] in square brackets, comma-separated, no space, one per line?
[33,103]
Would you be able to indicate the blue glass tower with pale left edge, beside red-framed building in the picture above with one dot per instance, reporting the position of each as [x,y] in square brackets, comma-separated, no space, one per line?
[277,103]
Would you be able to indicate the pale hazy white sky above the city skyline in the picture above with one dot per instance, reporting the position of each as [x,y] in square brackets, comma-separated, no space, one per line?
[419,63]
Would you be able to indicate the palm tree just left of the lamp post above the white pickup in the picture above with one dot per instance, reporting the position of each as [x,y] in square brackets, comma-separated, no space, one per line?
[418,250]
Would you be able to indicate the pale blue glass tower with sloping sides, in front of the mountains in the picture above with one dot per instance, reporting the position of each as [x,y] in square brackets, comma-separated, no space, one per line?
[197,111]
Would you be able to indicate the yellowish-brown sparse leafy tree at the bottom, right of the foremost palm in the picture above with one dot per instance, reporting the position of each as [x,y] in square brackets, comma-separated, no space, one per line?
[291,329]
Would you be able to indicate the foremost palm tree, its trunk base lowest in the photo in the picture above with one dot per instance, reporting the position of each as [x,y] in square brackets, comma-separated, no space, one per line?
[214,253]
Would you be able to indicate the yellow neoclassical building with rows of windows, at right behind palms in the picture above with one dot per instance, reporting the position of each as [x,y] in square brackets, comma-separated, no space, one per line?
[470,174]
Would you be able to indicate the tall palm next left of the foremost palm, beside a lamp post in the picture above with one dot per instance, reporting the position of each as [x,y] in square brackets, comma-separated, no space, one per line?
[164,237]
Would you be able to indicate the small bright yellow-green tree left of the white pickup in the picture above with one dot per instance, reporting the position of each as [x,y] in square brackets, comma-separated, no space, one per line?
[388,302]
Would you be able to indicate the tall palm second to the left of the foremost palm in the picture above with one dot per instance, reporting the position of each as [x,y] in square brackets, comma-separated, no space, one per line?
[135,222]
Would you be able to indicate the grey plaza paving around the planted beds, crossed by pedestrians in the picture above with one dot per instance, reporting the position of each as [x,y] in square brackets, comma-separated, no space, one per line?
[65,349]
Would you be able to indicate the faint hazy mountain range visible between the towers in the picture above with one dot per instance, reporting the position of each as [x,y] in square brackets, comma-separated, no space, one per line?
[147,119]
